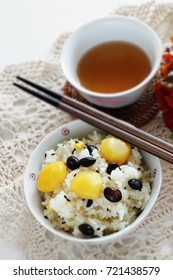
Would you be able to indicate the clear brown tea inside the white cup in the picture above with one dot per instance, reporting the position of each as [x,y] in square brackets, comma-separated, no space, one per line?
[113,67]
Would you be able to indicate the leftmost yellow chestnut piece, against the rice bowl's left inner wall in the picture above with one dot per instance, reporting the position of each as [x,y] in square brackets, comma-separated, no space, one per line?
[51,176]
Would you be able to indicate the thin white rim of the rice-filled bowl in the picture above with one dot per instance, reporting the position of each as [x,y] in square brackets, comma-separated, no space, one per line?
[96,240]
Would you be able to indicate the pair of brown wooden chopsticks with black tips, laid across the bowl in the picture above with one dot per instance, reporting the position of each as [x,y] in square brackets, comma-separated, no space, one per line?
[103,121]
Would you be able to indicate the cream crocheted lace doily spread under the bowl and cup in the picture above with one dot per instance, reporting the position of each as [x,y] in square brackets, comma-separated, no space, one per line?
[25,120]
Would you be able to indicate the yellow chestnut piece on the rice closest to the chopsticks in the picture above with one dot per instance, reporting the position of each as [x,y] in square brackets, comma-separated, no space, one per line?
[115,150]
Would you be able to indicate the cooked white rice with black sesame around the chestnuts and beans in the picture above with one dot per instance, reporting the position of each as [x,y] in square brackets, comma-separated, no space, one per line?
[66,211]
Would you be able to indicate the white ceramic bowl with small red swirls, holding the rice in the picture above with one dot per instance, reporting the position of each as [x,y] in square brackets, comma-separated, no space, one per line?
[72,130]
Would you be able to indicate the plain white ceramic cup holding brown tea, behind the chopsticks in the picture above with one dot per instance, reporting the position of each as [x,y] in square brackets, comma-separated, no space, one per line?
[116,28]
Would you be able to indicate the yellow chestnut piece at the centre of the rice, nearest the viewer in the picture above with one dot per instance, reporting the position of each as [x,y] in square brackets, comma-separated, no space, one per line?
[87,184]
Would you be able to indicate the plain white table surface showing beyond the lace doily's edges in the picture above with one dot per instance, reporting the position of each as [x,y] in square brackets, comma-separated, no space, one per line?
[28,30]
